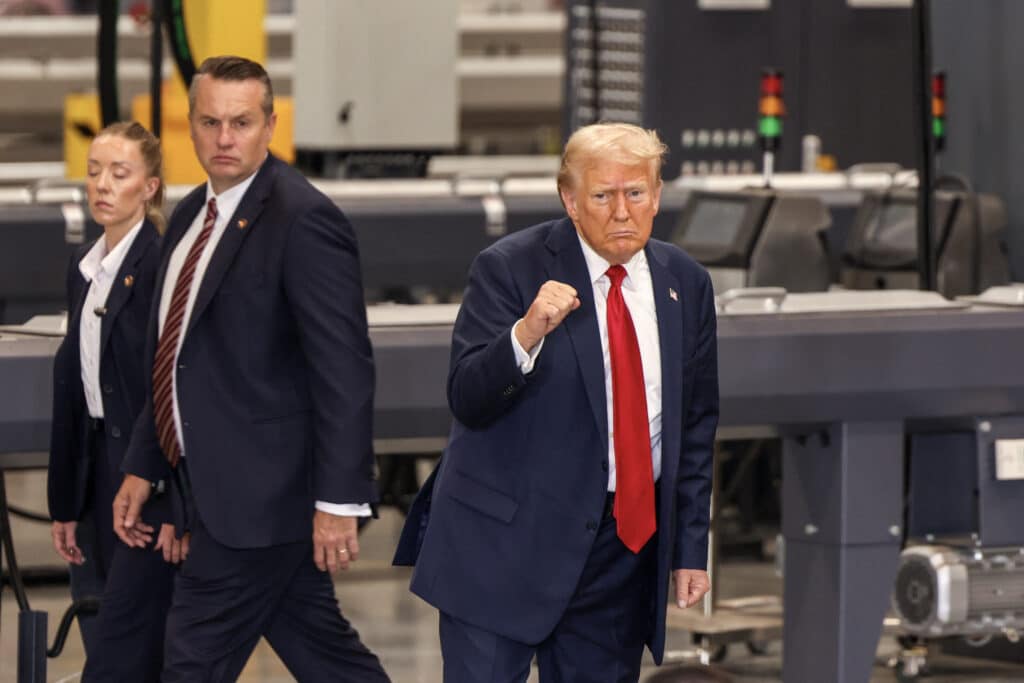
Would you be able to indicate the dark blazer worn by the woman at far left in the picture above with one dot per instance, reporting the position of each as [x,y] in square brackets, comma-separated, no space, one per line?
[121,374]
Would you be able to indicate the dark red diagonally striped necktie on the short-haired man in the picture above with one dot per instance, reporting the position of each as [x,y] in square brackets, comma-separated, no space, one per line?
[167,348]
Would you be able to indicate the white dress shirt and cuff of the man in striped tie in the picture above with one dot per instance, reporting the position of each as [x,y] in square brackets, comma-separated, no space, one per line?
[228,202]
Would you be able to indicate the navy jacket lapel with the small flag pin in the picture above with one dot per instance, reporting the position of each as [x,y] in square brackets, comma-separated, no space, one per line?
[669,304]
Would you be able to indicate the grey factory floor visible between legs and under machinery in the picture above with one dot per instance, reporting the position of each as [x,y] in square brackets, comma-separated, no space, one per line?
[403,631]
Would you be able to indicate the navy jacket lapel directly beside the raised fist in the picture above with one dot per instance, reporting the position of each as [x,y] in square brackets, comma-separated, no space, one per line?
[570,267]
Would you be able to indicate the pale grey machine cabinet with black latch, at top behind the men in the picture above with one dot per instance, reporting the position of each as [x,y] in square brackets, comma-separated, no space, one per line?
[375,92]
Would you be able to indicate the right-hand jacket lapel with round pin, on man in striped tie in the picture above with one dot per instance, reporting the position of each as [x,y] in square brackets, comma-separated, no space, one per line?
[239,228]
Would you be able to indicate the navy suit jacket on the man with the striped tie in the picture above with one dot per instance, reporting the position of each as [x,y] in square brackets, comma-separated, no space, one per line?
[276,376]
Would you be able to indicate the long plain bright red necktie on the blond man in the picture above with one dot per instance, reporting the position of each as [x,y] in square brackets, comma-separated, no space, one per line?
[634,507]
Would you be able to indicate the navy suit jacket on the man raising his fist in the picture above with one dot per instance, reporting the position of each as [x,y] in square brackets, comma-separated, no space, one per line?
[521,491]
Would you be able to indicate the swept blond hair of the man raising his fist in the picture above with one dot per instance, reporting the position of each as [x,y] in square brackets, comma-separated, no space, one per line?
[620,143]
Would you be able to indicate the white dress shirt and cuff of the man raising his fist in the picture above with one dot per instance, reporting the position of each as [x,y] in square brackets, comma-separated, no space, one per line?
[638,293]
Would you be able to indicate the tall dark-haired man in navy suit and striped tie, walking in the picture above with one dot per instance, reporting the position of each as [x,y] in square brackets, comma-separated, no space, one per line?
[261,402]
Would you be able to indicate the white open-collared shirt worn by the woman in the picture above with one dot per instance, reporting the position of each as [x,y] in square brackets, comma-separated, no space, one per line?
[99,268]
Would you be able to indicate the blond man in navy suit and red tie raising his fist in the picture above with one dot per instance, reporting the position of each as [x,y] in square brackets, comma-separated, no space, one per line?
[584,385]
